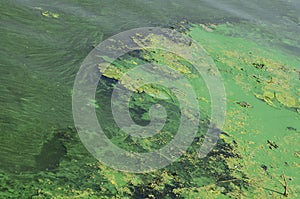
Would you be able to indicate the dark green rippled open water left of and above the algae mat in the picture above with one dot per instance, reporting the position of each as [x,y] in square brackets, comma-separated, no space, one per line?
[44,43]
